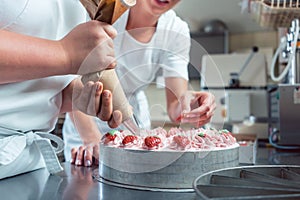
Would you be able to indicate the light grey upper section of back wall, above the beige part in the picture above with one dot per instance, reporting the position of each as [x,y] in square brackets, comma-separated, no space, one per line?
[197,12]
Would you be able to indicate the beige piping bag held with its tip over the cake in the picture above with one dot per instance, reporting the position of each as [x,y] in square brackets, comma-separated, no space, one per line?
[109,11]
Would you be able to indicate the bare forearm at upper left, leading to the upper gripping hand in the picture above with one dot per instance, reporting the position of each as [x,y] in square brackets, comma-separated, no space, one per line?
[24,57]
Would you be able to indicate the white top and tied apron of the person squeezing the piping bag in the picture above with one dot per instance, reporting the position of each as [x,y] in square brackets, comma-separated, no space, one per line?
[34,105]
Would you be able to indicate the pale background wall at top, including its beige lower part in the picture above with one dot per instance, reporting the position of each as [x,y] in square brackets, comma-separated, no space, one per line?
[244,31]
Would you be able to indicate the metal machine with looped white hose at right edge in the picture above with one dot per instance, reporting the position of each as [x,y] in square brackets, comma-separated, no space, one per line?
[285,98]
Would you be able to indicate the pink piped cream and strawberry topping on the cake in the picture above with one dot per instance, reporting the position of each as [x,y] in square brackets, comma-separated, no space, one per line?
[173,139]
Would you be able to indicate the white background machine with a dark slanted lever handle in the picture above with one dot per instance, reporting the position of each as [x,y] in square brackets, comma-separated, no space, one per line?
[239,102]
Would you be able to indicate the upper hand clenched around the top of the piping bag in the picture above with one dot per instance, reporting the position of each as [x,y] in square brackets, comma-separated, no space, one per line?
[89,47]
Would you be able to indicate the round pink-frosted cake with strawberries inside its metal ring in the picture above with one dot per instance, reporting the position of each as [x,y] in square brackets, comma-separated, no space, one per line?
[164,160]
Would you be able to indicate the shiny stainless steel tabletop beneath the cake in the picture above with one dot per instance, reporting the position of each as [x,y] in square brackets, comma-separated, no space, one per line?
[77,183]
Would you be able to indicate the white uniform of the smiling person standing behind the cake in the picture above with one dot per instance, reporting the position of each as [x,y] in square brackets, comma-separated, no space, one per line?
[138,64]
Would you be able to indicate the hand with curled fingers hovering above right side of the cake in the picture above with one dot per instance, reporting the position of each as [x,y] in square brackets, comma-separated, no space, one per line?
[198,108]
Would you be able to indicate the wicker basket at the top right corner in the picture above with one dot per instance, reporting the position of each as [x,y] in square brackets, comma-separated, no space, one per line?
[275,13]
